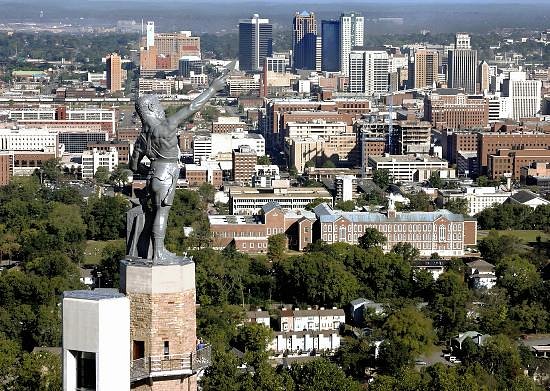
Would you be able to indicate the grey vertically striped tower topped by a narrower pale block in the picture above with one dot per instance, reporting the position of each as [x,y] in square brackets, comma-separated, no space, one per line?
[462,65]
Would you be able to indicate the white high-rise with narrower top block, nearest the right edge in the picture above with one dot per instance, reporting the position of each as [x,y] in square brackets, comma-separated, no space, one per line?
[525,95]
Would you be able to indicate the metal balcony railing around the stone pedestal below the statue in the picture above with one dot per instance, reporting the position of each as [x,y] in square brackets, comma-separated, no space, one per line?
[169,364]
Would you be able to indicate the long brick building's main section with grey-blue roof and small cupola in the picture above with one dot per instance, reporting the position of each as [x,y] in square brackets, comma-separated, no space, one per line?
[439,232]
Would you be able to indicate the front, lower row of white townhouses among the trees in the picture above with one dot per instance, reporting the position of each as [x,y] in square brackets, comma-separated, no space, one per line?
[307,341]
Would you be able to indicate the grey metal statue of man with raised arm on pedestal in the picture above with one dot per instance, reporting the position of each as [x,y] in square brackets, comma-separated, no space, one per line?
[159,143]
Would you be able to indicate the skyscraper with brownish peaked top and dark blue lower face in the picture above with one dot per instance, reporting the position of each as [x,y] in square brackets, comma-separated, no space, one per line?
[304,40]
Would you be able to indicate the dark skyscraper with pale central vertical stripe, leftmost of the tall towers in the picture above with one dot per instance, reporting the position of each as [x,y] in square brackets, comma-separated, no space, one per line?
[255,42]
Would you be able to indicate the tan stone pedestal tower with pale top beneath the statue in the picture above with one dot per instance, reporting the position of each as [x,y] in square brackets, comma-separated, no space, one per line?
[164,351]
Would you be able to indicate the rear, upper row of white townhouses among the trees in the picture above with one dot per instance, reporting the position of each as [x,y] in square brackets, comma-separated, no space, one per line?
[312,319]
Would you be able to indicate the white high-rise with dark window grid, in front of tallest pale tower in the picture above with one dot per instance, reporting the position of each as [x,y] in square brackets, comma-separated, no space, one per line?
[368,72]
